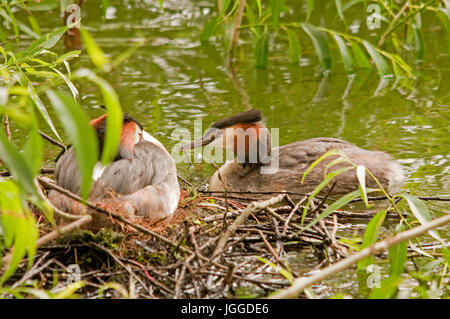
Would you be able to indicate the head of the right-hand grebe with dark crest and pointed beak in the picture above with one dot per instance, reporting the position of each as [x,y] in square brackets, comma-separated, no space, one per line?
[244,133]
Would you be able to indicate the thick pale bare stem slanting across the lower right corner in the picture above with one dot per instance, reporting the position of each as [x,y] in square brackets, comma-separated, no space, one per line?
[300,284]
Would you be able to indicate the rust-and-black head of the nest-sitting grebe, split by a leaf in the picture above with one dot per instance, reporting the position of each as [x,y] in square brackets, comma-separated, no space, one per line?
[132,133]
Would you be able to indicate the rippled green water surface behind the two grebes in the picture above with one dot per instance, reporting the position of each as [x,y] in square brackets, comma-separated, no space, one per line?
[173,79]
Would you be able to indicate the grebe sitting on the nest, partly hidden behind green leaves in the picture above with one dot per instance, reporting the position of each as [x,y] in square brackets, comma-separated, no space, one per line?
[142,179]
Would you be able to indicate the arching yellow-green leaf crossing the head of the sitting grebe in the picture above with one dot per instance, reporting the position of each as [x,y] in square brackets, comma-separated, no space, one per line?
[114,118]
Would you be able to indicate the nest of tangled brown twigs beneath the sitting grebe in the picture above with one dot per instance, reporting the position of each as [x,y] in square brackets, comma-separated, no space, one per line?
[213,247]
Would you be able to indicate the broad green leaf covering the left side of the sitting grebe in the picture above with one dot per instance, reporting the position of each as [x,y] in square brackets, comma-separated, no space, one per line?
[82,135]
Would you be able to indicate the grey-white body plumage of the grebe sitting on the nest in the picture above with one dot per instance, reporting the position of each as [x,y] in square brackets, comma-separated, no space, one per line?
[147,180]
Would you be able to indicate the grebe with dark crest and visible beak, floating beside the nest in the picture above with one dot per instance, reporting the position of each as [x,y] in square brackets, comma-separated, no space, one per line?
[290,161]
